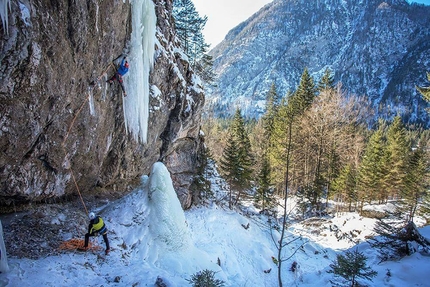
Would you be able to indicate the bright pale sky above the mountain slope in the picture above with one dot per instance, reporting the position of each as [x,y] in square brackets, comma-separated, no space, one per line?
[224,15]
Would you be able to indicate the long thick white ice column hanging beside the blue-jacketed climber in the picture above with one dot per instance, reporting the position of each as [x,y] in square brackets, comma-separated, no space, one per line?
[141,59]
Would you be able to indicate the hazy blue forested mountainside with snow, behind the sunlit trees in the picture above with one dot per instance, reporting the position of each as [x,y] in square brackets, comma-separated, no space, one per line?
[376,48]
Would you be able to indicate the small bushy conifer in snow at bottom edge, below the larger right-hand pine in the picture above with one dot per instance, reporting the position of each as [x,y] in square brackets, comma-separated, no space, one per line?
[351,266]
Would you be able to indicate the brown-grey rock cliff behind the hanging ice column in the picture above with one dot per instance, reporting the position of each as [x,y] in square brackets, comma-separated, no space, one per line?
[51,145]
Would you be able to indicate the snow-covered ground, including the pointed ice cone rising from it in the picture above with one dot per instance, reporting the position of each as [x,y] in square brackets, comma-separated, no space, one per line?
[152,237]
